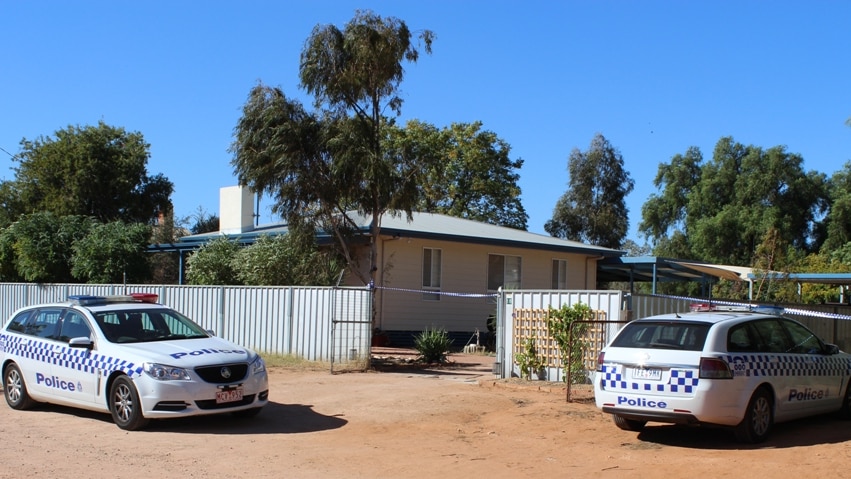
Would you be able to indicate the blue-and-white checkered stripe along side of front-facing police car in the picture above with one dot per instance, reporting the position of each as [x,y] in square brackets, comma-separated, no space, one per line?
[65,356]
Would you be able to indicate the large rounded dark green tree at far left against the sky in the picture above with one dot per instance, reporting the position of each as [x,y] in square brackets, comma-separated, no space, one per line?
[90,171]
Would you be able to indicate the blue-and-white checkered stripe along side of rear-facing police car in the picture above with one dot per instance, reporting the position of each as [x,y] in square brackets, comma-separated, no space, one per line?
[770,365]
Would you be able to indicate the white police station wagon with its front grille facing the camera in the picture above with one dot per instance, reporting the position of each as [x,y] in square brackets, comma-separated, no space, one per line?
[128,356]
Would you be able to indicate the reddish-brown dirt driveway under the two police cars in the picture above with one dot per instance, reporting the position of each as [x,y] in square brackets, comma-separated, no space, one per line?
[449,423]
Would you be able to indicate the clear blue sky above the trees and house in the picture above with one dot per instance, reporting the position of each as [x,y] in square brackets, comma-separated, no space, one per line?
[653,77]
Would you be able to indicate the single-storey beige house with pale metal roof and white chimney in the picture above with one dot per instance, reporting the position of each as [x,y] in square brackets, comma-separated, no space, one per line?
[437,271]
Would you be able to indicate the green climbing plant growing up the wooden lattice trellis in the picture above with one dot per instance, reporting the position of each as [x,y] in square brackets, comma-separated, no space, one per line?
[564,327]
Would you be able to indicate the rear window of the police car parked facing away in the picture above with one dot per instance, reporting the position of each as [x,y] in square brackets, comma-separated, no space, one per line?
[688,336]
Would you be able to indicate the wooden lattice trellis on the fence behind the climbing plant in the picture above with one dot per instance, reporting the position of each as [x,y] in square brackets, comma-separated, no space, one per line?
[532,323]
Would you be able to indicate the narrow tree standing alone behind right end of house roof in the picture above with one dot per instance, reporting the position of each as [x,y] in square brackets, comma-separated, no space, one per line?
[593,209]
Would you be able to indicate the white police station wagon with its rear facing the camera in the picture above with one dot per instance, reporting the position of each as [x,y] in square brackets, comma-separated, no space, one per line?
[739,366]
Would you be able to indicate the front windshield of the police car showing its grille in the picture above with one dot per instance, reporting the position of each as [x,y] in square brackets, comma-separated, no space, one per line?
[144,325]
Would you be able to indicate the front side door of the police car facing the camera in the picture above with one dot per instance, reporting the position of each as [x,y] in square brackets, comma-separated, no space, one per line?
[74,374]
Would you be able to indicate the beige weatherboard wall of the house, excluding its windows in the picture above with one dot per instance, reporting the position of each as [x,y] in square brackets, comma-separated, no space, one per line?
[466,303]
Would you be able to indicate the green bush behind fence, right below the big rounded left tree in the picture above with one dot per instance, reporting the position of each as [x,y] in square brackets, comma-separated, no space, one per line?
[112,253]
